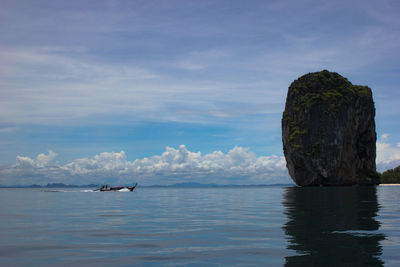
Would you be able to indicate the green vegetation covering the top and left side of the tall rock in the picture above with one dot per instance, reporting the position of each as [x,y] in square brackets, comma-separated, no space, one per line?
[327,89]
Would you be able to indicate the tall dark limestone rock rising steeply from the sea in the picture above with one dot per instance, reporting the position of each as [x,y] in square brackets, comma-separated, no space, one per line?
[328,131]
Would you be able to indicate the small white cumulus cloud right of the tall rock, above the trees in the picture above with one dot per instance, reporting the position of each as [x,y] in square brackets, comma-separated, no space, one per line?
[387,155]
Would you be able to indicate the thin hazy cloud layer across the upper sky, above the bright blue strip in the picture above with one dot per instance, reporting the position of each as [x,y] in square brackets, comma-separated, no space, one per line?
[246,56]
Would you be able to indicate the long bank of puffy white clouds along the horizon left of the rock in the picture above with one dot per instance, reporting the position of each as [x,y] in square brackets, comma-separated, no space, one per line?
[237,166]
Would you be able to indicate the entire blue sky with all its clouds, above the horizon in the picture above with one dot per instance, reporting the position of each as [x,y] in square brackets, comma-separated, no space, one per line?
[163,92]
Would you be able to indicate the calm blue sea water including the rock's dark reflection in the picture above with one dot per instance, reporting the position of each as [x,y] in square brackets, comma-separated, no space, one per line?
[267,226]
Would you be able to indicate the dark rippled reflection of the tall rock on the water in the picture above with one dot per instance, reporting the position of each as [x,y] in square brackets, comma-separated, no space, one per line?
[332,226]
